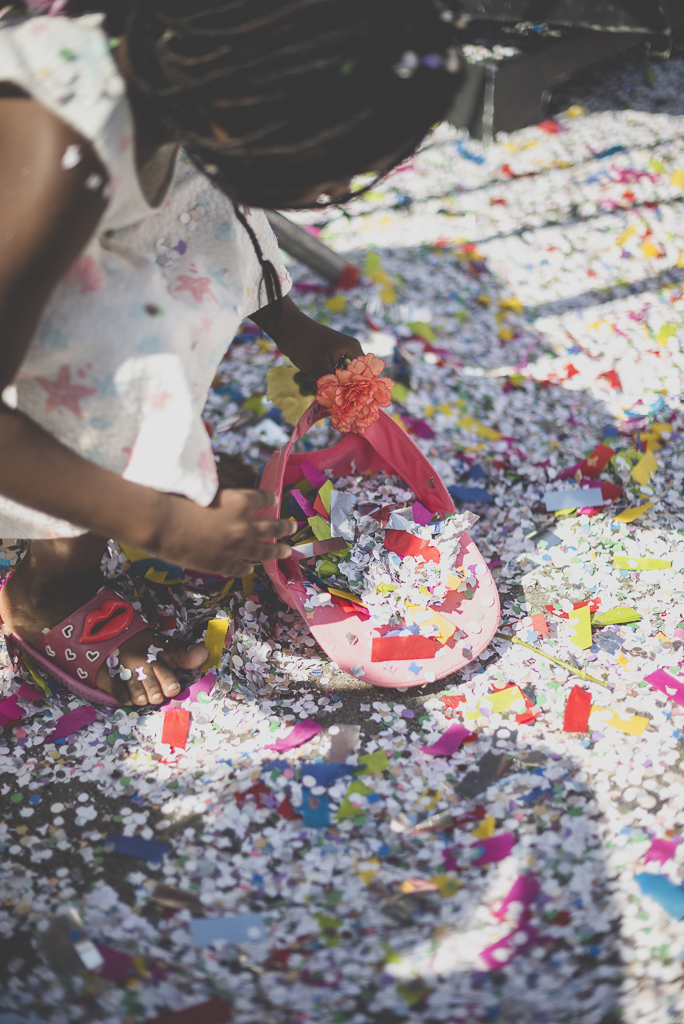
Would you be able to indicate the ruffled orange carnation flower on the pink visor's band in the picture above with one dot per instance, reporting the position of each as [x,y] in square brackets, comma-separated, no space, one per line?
[354,395]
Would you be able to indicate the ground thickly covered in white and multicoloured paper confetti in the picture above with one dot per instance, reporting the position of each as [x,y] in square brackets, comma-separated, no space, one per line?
[528,298]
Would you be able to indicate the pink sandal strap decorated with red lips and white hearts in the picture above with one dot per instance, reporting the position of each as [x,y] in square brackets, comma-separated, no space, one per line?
[81,645]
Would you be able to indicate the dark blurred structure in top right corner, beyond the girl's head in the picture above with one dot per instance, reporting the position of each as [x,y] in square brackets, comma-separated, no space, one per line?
[518,52]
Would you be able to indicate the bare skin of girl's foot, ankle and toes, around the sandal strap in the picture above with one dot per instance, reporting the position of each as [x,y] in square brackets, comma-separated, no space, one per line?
[58,577]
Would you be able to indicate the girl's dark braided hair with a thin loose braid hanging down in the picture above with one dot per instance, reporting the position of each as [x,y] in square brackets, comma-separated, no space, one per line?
[275,98]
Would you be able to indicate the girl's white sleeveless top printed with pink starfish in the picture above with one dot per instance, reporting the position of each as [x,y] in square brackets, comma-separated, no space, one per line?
[131,340]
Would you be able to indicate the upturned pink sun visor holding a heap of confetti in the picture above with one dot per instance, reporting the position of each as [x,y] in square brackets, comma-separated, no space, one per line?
[347,636]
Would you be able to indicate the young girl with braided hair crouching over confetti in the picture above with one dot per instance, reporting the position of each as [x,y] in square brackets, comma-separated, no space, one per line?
[127,152]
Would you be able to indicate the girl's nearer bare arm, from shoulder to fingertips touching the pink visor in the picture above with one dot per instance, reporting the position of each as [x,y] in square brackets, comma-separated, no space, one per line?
[49,211]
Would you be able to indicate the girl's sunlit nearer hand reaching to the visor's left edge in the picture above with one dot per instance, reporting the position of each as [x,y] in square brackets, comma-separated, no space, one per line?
[226,539]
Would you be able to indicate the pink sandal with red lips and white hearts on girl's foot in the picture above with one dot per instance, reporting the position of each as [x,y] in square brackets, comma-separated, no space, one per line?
[75,651]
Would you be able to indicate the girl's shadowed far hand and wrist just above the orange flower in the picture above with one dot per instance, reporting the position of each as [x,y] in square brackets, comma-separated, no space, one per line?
[313,348]
